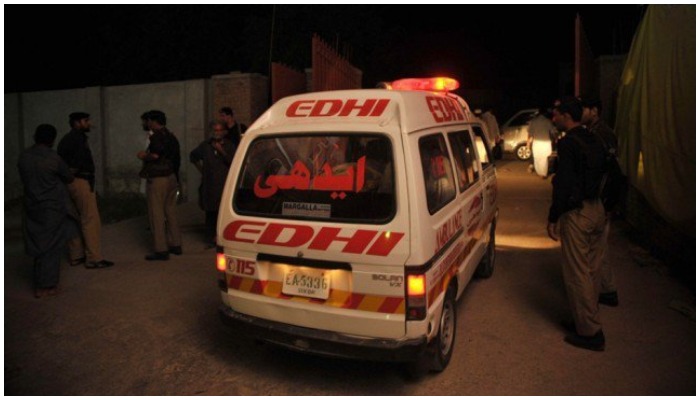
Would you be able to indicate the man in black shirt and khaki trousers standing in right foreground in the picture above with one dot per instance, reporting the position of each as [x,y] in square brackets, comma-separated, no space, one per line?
[578,213]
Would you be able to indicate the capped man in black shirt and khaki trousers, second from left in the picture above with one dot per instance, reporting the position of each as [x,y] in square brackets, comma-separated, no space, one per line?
[75,151]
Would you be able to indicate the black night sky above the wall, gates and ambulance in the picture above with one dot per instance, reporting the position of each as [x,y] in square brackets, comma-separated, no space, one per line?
[516,49]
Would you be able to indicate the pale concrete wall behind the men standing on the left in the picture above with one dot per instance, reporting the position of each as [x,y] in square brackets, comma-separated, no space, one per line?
[116,135]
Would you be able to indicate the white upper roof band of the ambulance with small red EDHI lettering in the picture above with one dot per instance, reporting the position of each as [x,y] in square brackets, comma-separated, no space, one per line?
[364,109]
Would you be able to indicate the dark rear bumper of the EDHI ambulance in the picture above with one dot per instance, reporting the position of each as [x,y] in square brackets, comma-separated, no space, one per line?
[327,343]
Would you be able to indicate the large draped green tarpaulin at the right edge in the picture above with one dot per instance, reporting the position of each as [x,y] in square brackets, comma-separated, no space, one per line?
[656,113]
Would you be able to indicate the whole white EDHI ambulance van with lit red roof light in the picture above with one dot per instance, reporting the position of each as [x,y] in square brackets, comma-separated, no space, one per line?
[352,221]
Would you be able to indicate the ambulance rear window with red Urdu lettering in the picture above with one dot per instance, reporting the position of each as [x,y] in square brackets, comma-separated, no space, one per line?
[339,177]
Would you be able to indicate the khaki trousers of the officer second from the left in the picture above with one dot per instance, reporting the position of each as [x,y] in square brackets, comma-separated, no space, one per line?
[88,244]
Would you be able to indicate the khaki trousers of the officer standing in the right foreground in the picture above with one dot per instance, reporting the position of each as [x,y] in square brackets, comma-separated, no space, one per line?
[582,243]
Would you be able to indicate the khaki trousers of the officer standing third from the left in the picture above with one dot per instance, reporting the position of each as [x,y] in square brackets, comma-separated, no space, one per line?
[162,201]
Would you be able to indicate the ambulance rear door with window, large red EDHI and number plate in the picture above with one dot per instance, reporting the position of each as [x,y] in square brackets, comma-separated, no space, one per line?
[320,218]
